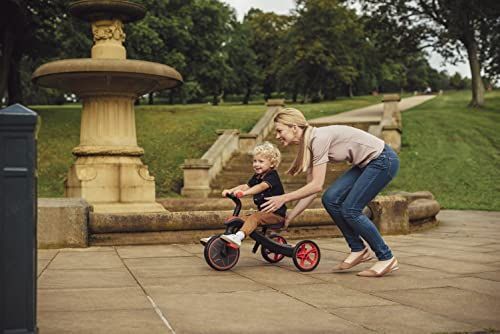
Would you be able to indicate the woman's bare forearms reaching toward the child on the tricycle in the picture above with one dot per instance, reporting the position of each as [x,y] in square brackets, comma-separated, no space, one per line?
[315,181]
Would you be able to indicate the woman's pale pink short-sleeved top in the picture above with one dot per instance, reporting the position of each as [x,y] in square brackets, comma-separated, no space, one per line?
[344,143]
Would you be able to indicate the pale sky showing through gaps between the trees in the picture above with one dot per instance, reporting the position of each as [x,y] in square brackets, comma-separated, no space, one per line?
[285,6]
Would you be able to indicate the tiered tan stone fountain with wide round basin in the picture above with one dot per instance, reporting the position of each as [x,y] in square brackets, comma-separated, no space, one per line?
[108,171]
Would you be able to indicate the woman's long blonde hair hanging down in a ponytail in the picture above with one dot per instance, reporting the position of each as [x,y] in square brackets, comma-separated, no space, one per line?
[291,117]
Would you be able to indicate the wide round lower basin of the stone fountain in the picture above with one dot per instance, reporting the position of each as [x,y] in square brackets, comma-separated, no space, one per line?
[112,76]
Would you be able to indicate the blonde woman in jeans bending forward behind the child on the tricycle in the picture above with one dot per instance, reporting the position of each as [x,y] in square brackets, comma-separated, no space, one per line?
[374,164]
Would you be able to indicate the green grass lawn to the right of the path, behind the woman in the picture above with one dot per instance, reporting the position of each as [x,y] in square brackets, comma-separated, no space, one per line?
[453,151]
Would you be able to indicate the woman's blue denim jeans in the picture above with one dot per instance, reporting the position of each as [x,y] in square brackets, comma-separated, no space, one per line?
[348,195]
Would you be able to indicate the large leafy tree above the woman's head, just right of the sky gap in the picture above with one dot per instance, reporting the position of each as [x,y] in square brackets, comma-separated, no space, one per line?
[322,49]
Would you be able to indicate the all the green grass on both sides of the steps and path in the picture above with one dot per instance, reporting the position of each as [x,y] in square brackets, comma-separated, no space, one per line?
[448,149]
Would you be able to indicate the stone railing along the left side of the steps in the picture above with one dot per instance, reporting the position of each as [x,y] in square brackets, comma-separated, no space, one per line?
[199,173]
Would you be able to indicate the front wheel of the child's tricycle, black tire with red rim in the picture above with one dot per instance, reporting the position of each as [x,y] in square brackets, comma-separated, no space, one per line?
[219,255]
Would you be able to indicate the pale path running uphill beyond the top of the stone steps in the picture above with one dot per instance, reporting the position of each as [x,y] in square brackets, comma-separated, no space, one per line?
[371,113]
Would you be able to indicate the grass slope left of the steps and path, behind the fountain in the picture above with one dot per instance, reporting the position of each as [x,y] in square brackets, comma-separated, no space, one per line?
[168,134]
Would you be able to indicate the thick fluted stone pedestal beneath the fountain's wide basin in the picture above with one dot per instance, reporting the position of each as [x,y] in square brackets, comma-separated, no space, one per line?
[108,171]
